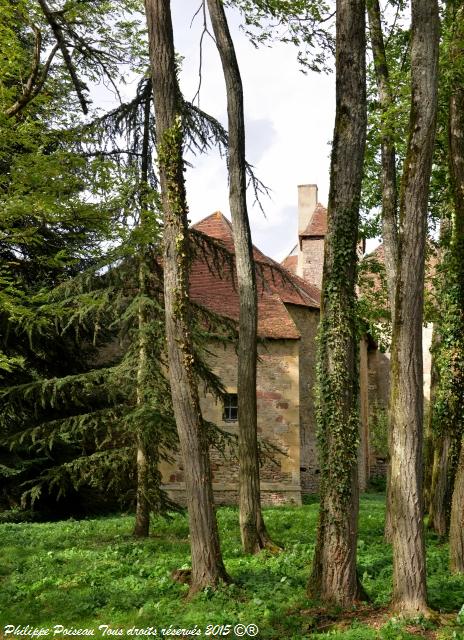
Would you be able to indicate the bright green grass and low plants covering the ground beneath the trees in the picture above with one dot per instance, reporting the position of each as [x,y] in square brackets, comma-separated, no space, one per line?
[82,574]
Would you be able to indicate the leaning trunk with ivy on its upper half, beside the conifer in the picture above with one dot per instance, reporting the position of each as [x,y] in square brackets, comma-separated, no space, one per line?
[207,565]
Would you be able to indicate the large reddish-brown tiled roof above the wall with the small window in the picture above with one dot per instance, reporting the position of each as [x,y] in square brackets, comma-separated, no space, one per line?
[276,285]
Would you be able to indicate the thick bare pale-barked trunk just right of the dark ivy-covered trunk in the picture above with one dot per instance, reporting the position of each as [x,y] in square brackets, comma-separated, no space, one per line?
[406,399]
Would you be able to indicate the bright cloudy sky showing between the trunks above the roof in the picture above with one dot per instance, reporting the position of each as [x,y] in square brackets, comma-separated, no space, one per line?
[289,123]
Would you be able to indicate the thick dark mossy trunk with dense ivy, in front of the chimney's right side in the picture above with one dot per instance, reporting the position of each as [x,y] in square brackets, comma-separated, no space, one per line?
[334,576]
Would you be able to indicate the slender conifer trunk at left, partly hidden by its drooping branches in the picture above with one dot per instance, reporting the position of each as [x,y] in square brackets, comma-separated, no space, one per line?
[142,511]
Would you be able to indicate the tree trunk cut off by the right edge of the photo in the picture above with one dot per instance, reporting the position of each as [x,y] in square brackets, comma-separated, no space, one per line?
[456,162]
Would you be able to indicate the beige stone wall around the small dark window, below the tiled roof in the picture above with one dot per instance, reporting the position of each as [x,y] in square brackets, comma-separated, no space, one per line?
[278,424]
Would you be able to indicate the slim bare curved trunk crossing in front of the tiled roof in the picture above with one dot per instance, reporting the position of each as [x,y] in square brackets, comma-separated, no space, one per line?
[252,529]
